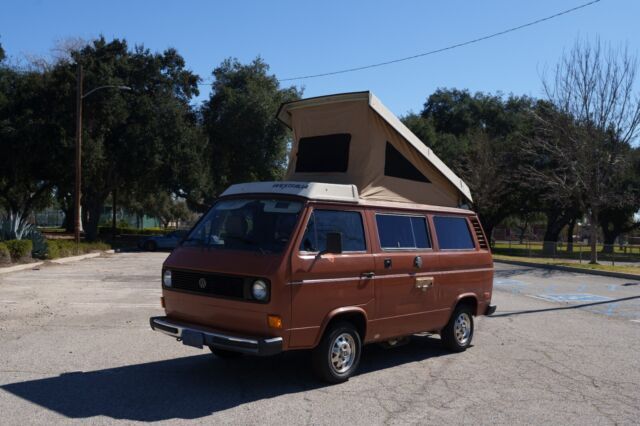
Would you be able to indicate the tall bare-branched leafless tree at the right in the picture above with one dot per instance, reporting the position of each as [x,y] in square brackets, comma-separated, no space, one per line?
[597,115]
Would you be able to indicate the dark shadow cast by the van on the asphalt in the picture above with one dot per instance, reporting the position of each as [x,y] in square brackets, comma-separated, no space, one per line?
[195,386]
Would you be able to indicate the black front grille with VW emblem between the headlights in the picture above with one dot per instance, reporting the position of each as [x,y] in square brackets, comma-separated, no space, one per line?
[216,285]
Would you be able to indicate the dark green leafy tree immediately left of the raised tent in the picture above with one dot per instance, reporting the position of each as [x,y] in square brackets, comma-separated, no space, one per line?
[246,142]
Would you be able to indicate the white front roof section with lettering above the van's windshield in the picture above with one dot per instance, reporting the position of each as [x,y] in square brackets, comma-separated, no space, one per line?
[311,190]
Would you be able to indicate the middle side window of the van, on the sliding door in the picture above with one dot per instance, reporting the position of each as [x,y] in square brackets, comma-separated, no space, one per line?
[402,232]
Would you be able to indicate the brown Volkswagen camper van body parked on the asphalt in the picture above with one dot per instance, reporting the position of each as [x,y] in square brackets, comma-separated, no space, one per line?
[278,266]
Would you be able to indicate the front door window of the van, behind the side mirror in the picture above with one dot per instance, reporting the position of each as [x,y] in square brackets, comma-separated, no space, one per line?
[321,222]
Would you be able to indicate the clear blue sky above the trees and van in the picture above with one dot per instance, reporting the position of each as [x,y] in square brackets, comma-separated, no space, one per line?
[299,38]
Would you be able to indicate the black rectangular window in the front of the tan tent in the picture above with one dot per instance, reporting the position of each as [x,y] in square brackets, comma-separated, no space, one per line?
[328,153]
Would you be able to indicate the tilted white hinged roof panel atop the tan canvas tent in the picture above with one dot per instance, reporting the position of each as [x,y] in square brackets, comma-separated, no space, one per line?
[375,104]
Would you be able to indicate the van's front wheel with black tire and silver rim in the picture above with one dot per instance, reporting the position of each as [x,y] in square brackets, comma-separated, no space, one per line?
[346,338]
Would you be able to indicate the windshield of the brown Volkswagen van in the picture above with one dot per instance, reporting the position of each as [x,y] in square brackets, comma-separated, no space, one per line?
[263,225]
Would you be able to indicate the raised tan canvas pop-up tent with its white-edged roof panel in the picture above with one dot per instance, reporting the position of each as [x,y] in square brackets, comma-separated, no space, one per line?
[352,138]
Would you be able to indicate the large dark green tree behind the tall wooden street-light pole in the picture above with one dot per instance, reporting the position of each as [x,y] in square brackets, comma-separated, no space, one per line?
[143,140]
